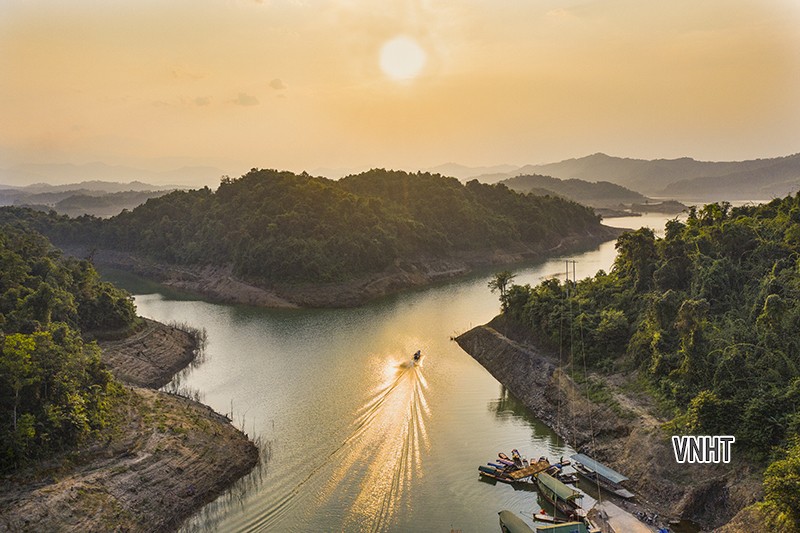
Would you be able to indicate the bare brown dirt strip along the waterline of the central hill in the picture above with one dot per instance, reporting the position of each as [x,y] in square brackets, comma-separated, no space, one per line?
[221,284]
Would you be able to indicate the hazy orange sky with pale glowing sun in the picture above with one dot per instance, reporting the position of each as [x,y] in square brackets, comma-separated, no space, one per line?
[308,84]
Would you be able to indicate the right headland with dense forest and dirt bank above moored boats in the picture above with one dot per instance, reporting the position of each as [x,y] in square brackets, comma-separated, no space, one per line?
[690,334]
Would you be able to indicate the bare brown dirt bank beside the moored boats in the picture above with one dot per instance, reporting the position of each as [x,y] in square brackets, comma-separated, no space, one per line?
[628,436]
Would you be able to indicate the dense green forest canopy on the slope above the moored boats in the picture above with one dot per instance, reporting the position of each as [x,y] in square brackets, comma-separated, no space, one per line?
[710,314]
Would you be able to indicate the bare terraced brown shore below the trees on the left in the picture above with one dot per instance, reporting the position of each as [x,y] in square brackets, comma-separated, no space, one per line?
[164,458]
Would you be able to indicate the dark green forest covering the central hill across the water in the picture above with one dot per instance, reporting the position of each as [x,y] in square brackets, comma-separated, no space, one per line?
[282,227]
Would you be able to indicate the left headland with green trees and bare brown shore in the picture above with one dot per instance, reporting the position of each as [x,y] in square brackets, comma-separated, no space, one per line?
[88,450]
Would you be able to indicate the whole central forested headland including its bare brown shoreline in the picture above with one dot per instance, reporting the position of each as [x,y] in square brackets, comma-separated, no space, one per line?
[281,239]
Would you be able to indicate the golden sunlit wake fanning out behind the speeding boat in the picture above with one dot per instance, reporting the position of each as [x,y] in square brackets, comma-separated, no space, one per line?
[380,456]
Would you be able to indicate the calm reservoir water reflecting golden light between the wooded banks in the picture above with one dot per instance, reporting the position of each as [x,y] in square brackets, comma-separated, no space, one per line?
[354,437]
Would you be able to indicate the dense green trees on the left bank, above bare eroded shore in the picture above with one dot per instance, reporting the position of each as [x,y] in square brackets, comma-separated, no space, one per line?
[53,388]
